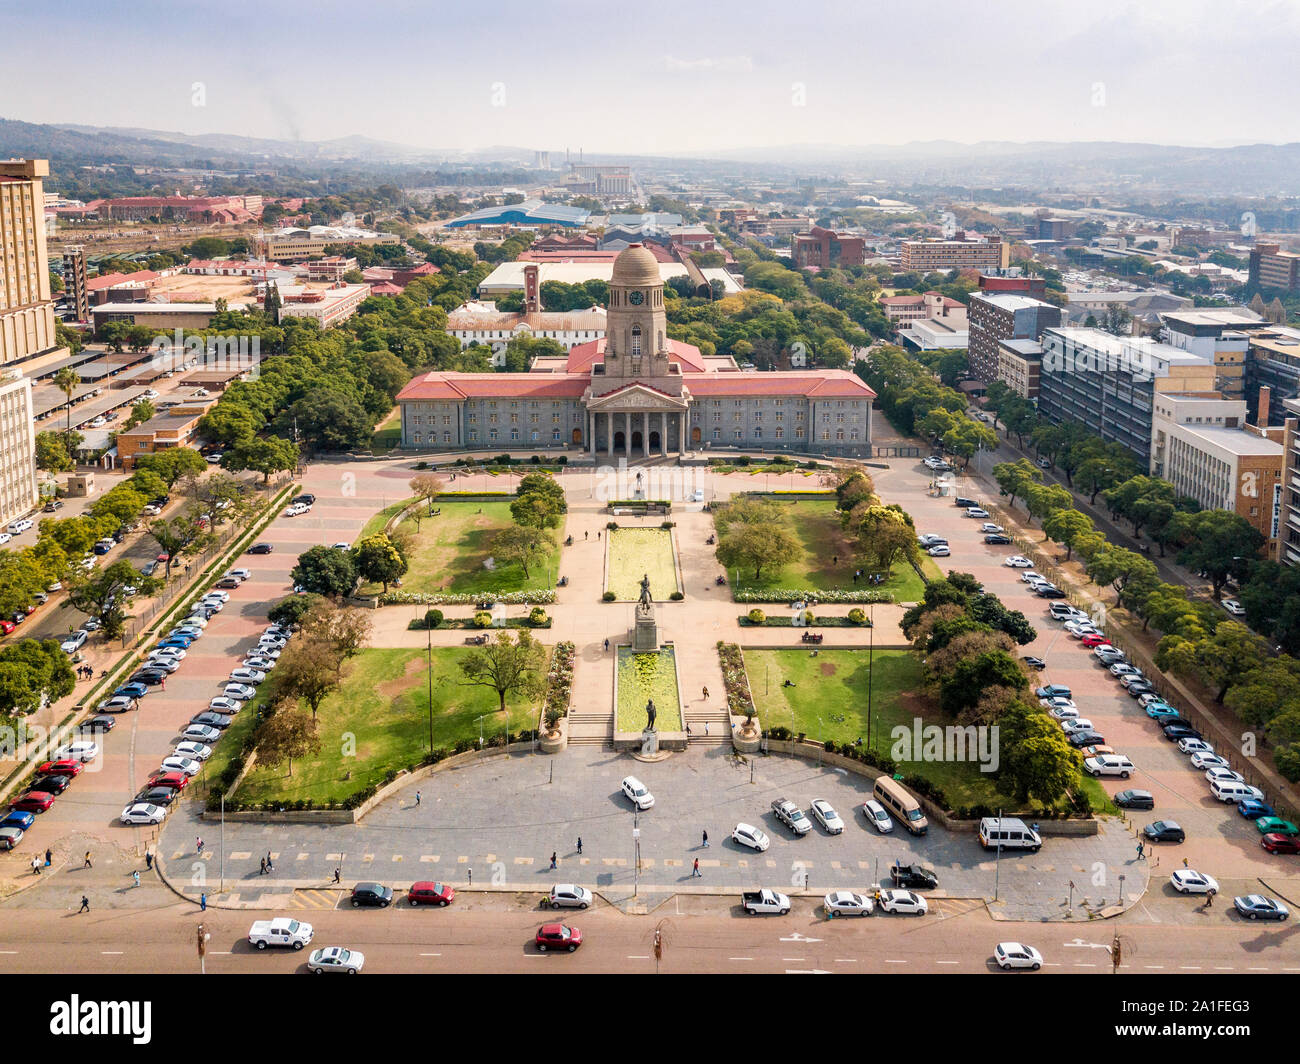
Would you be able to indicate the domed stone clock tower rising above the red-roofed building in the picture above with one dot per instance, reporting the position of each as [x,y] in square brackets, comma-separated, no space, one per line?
[636,327]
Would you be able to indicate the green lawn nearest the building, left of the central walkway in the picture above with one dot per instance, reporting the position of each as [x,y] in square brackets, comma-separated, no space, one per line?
[450,551]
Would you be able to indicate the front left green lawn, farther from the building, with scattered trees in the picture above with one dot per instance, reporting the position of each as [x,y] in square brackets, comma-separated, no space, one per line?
[384,703]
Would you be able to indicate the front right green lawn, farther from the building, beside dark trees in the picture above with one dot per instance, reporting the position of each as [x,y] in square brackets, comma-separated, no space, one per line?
[830,702]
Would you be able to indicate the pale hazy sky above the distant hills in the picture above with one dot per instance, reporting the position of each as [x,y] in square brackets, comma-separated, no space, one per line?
[703,76]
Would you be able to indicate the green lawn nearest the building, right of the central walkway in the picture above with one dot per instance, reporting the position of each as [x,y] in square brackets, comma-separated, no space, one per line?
[825,559]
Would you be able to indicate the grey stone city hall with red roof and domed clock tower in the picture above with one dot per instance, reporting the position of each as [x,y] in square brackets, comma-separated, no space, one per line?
[635,393]
